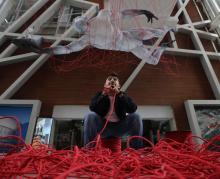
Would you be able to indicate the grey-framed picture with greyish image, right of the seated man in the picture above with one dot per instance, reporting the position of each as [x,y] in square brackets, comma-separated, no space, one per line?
[204,117]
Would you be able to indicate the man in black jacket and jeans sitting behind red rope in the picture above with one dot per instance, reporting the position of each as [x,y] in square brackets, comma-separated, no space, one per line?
[118,108]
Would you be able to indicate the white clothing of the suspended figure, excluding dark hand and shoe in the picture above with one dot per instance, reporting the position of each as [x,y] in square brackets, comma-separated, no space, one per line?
[104,32]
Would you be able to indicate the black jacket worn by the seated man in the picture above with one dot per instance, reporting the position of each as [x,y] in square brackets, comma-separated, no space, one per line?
[100,104]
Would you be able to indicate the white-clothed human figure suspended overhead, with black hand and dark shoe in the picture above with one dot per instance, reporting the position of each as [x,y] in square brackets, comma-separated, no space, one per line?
[104,32]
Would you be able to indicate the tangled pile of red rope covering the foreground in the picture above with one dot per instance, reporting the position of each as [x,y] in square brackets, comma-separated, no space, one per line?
[167,159]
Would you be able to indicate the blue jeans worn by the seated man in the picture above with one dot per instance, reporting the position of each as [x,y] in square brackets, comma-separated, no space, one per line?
[131,126]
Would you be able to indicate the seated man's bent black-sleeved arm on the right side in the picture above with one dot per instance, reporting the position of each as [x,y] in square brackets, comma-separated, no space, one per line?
[130,105]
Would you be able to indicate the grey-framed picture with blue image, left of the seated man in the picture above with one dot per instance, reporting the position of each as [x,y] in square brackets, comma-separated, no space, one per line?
[26,111]
